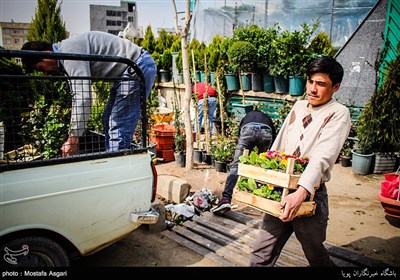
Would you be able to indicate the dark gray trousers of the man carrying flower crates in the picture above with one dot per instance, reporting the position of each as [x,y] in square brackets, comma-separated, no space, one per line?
[310,231]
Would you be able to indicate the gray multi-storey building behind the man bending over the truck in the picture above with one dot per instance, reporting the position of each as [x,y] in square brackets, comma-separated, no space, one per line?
[113,19]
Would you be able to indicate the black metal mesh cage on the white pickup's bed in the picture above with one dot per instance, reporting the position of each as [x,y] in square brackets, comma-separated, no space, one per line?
[35,112]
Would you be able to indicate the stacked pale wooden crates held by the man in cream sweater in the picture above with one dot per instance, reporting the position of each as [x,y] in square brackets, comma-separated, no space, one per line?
[287,181]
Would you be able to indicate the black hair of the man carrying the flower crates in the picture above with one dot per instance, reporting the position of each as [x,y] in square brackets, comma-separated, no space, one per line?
[327,65]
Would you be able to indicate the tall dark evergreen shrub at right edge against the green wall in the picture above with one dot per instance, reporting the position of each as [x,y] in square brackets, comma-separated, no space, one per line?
[378,125]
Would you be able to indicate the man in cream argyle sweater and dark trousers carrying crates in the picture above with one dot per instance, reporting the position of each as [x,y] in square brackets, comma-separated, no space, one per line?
[316,128]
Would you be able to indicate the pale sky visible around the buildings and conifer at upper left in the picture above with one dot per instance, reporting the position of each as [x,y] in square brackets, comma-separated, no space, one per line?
[75,13]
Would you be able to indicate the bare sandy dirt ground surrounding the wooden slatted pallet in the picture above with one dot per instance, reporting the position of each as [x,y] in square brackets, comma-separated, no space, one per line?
[357,222]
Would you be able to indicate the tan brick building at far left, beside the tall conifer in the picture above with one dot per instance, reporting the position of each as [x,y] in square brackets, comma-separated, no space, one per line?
[13,34]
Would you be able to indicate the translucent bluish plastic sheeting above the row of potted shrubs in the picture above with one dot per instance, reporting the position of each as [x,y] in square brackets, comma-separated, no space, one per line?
[339,18]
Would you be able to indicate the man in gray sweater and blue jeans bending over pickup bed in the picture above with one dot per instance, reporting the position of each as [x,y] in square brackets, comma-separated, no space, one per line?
[122,111]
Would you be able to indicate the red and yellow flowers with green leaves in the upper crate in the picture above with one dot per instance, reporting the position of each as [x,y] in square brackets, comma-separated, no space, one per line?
[275,160]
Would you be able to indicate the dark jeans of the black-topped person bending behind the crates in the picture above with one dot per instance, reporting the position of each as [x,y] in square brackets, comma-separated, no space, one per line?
[251,135]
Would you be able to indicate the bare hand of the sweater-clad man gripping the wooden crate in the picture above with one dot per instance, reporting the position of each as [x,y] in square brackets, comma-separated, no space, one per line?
[291,204]
